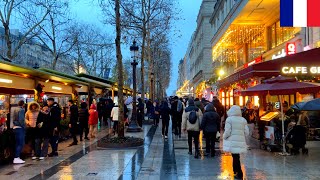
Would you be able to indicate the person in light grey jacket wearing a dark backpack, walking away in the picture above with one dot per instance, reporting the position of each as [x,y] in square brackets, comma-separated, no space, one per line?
[191,120]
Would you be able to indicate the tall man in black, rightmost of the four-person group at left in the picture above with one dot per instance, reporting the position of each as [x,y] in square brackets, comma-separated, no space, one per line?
[54,125]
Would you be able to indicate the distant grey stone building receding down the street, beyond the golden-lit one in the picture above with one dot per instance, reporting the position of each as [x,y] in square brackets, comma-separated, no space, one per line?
[197,61]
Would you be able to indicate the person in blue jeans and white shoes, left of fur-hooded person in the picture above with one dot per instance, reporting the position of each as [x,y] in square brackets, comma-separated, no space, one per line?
[18,125]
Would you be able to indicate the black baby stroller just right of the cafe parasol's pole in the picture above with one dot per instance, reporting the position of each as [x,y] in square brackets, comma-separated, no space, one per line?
[296,139]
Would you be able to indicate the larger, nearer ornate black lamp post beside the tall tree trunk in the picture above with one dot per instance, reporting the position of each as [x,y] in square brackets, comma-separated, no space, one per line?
[133,125]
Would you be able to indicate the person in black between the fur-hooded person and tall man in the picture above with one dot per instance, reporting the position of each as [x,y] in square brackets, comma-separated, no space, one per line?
[43,134]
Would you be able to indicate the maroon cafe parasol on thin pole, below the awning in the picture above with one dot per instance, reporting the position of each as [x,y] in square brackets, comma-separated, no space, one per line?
[282,86]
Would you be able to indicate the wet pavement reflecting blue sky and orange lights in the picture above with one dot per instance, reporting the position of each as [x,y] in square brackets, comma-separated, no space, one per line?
[163,159]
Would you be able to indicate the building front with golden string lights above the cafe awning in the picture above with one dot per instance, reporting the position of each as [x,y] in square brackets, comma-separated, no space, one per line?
[246,33]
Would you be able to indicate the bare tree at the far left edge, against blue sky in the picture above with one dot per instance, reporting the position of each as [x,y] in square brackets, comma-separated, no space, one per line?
[30,13]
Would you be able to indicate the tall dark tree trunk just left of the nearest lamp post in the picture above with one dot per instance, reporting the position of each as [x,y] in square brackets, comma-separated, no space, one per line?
[120,71]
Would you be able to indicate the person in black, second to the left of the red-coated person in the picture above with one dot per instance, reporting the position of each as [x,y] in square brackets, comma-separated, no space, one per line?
[73,124]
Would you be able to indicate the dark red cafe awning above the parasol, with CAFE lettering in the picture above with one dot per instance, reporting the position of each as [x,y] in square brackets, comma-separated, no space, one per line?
[271,68]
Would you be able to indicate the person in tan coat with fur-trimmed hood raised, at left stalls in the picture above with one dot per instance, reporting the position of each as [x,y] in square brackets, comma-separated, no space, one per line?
[31,122]
